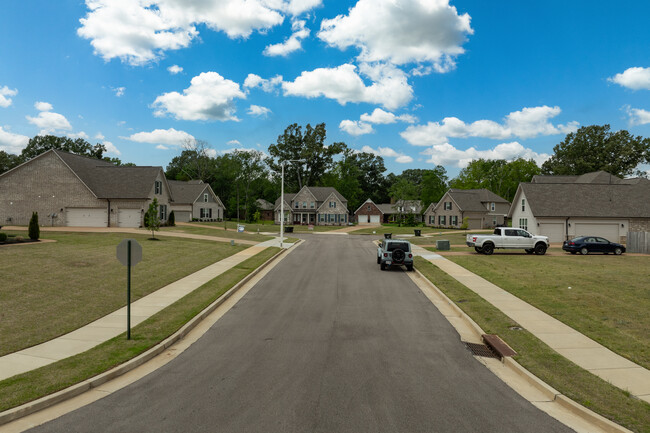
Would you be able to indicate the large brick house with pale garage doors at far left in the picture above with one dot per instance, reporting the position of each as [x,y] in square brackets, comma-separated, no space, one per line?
[72,190]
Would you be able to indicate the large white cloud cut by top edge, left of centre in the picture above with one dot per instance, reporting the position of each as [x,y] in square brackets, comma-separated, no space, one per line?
[141,31]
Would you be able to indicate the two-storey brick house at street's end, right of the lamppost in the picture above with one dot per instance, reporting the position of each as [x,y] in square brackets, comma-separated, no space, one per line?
[313,206]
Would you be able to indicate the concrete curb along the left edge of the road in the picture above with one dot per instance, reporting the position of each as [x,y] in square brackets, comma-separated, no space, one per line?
[75,390]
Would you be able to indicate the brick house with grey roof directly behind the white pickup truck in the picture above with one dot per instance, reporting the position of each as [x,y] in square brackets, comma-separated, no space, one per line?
[482,208]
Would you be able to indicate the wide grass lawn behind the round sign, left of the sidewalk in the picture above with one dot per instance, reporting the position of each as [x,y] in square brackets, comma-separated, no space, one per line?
[51,289]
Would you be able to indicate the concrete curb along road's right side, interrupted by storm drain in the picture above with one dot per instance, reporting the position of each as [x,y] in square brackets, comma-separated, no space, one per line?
[551,393]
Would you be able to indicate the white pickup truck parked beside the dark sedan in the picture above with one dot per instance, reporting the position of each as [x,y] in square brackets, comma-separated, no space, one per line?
[506,237]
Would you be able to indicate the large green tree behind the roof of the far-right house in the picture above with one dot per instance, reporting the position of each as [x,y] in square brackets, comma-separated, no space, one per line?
[594,148]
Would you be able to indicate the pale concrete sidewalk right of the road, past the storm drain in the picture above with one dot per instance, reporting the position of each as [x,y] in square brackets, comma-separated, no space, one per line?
[579,349]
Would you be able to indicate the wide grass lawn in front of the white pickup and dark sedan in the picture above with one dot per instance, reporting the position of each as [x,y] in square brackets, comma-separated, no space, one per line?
[608,299]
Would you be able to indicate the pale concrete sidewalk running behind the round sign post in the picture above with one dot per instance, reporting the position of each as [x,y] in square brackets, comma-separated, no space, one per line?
[114,324]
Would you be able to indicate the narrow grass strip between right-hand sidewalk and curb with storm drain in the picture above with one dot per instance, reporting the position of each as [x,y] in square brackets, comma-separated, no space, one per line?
[552,368]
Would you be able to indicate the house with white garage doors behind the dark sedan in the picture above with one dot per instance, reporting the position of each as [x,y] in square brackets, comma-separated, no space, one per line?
[594,204]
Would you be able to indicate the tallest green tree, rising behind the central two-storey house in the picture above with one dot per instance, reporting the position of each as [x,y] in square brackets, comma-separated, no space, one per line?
[309,146]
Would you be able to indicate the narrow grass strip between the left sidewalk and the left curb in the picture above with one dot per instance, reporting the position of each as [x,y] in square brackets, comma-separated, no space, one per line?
[37,383]
